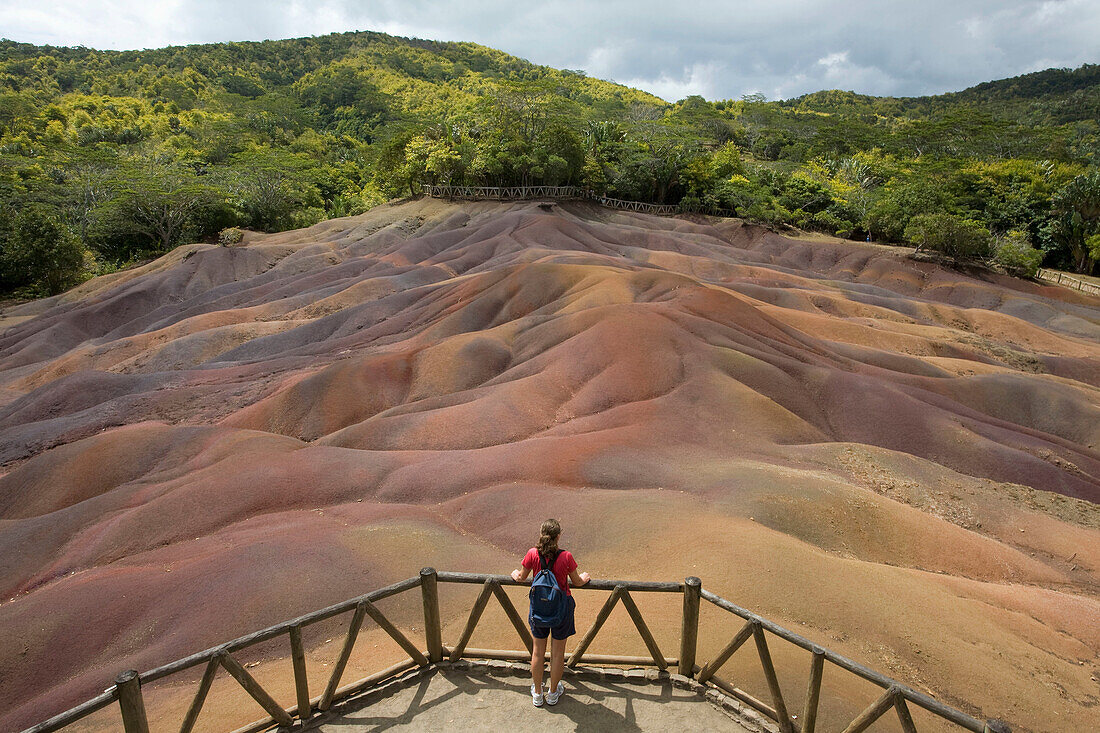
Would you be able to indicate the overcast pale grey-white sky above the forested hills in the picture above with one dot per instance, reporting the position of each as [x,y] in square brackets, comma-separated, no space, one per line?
[719,50]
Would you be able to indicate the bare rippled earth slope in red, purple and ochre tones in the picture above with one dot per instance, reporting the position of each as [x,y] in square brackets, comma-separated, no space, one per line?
[901,457]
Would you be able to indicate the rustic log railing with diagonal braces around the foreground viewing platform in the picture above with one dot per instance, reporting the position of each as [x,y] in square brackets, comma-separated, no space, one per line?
[128,687]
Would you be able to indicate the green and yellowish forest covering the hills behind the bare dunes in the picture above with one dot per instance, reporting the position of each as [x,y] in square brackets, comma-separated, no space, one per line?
[113,158]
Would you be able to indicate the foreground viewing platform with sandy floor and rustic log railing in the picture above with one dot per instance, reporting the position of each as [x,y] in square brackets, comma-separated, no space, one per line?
[441,687]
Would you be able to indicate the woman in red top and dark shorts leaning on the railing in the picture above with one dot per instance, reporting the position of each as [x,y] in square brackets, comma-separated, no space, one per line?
[546,555]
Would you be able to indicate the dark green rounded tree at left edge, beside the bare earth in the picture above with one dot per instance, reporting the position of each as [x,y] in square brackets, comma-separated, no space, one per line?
[41,251]
